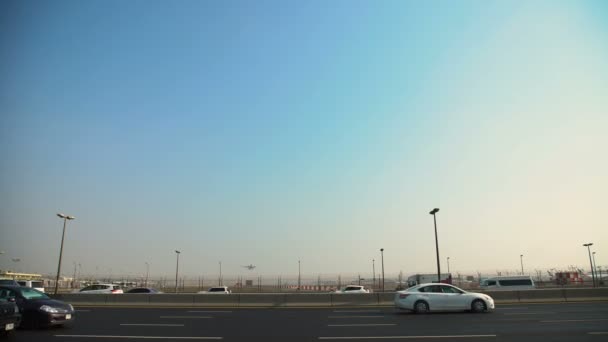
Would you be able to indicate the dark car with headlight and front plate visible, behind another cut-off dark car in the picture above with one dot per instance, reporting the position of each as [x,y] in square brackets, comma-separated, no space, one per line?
[37,309]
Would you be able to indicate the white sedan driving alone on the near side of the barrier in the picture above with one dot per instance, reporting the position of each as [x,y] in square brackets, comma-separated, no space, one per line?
[442,297]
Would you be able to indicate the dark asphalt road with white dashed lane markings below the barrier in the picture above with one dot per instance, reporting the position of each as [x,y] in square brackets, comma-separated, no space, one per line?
[521,323]
